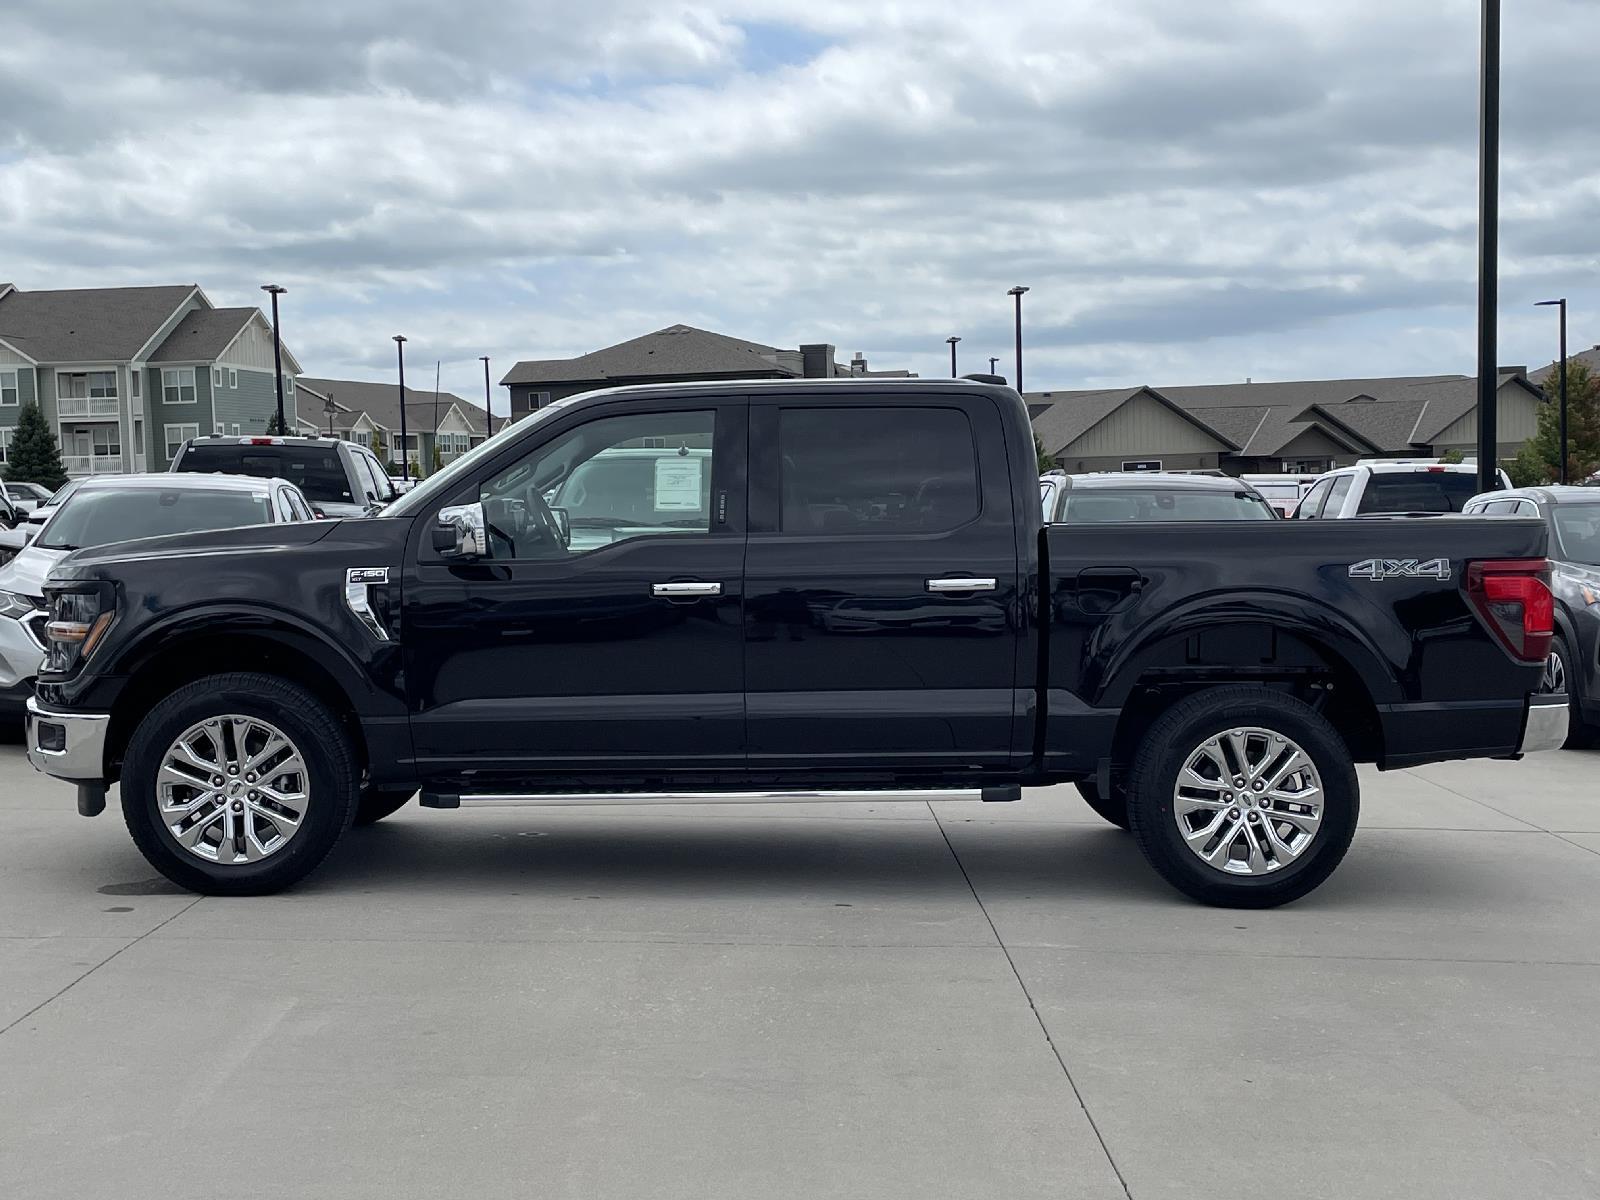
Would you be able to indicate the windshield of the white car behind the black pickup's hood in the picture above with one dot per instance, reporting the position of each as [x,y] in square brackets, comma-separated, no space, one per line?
[100,516]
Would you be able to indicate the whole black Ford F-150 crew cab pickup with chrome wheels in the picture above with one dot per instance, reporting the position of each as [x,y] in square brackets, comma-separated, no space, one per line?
[775,590]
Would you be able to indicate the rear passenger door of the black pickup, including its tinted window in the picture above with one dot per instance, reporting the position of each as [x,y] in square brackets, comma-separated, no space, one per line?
[881,575]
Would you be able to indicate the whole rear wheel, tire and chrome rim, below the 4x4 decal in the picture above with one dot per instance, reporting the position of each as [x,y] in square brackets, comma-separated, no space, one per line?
[1244,798]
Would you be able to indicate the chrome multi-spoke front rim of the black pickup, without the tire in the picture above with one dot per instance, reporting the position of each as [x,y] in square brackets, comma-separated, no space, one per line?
[233,790]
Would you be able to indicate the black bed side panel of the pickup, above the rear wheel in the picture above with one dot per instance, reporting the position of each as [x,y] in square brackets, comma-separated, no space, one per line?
[1423,655]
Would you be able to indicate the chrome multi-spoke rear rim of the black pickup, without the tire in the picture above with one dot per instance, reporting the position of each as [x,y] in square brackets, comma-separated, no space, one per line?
[1249,802]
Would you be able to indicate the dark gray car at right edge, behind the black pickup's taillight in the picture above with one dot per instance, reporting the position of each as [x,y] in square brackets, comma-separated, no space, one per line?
[1574,518]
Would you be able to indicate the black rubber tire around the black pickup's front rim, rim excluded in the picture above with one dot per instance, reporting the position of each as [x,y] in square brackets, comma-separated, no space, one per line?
[330,769]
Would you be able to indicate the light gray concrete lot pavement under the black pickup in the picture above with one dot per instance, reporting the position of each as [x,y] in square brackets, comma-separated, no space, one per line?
[833,1001]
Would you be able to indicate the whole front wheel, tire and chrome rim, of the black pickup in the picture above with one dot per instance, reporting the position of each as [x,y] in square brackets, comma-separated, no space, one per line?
[239,785]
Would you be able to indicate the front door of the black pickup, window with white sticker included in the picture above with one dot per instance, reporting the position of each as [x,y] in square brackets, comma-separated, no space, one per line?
[601,633]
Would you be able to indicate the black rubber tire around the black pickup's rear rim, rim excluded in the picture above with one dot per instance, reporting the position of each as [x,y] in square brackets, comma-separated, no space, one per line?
[1178,734]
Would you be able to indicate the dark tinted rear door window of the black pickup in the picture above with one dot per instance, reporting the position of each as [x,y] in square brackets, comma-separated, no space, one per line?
[876,470]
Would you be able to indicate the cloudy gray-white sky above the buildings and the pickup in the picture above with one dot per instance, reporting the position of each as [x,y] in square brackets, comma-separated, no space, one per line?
[1194,193]
